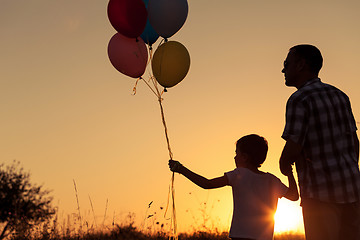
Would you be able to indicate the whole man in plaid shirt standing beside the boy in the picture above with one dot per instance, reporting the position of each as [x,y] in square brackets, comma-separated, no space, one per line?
[321,139]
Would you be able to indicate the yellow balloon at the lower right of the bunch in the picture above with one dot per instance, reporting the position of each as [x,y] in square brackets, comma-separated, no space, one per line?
[170,63]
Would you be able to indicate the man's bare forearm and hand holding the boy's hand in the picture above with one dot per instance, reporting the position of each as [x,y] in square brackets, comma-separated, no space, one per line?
[290,153]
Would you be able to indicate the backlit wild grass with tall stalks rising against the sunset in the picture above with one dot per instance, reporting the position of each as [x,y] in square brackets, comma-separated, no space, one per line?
[76,227]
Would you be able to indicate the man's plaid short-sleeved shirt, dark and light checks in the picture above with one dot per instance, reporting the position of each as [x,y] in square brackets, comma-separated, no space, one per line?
[319,117]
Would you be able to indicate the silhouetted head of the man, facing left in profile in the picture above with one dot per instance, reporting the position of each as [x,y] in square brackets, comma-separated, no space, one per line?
[302,63]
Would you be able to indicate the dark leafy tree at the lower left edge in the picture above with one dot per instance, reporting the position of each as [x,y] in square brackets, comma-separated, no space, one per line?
[23,204]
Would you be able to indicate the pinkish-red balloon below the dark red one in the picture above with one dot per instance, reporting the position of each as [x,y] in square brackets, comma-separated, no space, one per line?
[128,55]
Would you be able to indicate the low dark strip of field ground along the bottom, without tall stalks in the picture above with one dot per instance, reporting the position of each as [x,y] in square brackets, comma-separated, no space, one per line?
[127,231]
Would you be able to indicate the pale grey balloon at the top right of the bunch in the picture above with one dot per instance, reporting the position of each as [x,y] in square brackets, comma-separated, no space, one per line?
[167,16]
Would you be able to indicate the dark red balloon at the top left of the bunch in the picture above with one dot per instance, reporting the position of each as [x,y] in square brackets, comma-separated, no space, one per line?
[128,17]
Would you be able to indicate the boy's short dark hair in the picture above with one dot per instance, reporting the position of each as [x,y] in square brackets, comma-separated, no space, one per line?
[255,147]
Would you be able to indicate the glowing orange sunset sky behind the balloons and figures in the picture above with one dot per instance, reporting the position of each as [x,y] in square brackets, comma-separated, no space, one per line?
[67,114]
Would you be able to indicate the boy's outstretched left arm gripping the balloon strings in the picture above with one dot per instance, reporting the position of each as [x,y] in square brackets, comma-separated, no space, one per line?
[199,180]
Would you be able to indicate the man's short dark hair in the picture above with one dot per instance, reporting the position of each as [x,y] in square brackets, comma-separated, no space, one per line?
[310,54]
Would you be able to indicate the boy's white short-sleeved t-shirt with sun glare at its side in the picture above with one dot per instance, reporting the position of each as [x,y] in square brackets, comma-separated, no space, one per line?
[255,199]
